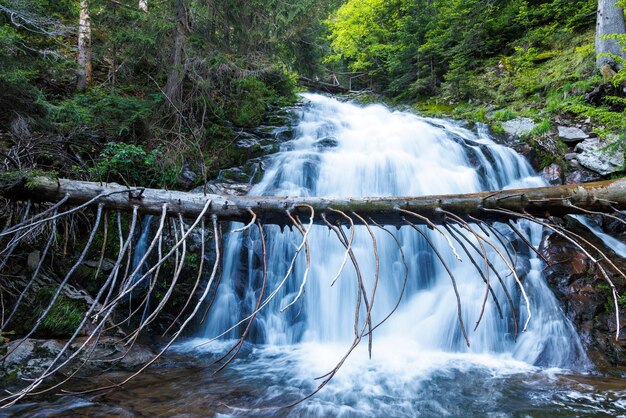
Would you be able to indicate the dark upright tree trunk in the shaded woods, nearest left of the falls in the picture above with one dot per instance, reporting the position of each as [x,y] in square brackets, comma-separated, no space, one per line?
[176,72]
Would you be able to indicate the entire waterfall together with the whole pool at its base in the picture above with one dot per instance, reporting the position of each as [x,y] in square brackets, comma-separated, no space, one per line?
[420,364]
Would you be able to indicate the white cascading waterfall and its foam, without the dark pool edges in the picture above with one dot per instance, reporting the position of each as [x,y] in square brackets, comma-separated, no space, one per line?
[341,149]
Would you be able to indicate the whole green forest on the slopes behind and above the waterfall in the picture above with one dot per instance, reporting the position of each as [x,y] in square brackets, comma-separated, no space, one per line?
[146,89]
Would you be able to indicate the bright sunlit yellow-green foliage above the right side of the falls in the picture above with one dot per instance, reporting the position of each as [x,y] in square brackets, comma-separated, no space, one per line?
[415,48]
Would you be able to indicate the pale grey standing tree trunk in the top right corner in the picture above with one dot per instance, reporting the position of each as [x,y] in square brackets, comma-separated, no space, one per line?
[610,22]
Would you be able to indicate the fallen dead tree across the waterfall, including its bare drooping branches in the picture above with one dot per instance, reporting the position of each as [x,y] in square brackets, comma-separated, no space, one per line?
[37,207]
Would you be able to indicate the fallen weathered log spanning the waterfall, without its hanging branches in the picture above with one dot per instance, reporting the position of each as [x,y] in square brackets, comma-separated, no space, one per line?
[542,202]
